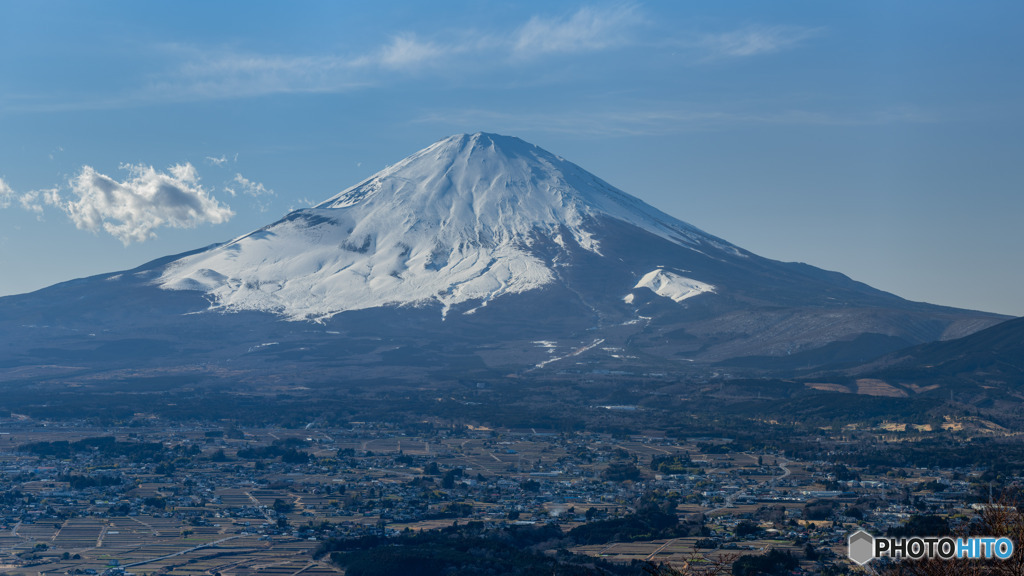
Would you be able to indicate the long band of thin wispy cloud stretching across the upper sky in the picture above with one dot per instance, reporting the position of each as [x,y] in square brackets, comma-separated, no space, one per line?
[193,73]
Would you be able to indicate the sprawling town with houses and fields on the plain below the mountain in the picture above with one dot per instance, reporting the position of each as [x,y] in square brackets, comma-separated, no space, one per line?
[190,499]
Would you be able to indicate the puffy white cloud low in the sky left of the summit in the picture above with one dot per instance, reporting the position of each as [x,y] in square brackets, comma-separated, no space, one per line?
[134,210]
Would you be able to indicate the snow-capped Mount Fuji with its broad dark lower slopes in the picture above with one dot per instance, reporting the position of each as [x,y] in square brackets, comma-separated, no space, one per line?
[480,256]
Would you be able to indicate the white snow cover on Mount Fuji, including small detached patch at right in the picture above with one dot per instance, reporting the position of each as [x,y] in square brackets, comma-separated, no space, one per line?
[452,224]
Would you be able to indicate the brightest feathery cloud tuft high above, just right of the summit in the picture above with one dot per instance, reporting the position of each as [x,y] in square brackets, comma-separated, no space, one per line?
[587,30]
